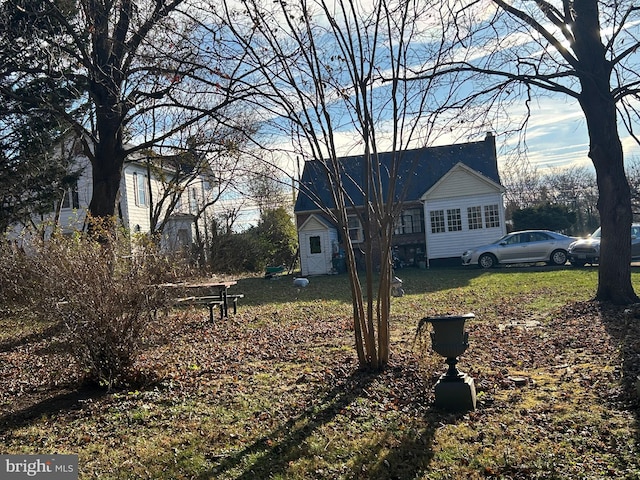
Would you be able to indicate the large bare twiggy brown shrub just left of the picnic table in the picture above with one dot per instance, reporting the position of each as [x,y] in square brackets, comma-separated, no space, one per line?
[101,294]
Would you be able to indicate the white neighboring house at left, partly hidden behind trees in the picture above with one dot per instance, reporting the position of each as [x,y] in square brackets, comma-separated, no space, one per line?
[141,188]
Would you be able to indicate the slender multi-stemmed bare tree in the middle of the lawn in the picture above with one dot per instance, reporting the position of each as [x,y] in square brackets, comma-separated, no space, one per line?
[330,70]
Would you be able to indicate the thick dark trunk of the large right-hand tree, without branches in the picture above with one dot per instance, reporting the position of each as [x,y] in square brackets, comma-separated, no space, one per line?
[605,150]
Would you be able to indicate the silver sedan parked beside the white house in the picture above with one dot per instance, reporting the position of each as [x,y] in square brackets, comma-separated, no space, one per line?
[529,246]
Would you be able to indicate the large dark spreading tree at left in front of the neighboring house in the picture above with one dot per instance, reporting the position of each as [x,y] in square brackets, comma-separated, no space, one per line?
[146,73]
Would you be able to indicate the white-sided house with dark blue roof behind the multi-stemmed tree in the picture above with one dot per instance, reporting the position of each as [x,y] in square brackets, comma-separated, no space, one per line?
[453,200]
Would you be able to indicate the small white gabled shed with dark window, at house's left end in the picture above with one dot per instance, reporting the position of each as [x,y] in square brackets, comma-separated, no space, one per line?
[317,238]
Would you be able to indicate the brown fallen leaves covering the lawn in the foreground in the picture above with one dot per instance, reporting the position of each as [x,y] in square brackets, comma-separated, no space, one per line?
[273,394]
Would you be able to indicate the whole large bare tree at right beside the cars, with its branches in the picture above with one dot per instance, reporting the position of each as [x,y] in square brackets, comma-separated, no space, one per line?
[587,50]
